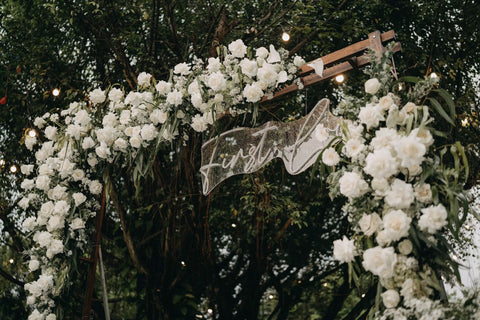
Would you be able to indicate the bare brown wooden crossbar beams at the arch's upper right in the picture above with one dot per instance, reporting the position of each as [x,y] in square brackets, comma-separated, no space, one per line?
[340,61]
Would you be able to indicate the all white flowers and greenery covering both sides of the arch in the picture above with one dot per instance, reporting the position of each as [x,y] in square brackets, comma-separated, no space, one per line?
[388,166]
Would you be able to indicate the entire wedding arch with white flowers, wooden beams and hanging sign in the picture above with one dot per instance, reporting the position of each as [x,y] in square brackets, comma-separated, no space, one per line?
[402,196]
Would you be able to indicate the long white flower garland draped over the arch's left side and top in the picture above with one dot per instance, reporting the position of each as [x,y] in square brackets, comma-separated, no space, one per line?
[64,185]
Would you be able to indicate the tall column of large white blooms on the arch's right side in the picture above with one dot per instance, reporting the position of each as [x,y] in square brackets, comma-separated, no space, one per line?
[386,149]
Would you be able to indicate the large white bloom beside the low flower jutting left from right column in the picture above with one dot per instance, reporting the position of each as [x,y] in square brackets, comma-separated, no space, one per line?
[380,261]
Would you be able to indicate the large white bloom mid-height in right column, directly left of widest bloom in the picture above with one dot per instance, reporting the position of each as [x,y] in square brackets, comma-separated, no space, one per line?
[380,164]
